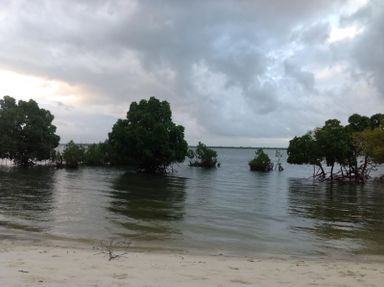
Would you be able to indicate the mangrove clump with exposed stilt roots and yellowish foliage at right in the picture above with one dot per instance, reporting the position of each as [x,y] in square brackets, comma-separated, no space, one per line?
[354,148]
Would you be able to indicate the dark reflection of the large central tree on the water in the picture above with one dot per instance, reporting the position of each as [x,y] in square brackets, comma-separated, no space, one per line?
[147,204]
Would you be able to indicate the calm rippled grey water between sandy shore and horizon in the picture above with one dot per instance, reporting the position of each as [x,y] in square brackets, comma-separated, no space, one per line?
[228,210]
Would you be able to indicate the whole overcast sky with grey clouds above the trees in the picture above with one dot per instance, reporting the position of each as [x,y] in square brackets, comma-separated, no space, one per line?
[236,73]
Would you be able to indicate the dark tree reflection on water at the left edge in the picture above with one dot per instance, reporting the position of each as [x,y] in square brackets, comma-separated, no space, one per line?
[26,197]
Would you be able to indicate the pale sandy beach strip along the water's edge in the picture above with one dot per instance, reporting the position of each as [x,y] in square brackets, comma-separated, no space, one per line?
[26,265]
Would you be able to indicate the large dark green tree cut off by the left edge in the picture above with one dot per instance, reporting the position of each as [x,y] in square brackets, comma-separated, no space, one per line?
[27,133]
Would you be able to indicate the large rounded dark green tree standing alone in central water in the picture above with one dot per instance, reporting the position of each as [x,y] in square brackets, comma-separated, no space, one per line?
[148,137]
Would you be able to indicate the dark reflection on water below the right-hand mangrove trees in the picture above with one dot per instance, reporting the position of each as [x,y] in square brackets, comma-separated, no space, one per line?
[340,214]
